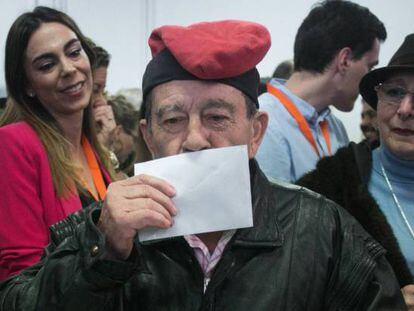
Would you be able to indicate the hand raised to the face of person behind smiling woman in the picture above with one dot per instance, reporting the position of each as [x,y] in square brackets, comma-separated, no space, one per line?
[104,116]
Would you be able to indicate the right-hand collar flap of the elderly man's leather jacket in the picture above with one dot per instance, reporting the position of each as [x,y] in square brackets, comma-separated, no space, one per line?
[266,231]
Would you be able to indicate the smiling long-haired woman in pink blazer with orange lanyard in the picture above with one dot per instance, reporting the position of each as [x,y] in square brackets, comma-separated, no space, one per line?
[50,160]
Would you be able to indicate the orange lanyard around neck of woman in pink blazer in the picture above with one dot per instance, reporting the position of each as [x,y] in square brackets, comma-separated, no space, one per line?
[94,169]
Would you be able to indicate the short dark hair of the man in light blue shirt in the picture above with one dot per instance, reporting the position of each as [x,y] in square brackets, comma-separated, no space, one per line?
[331,26]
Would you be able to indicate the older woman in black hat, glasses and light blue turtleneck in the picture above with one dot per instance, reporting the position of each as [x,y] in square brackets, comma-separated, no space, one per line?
[377,187]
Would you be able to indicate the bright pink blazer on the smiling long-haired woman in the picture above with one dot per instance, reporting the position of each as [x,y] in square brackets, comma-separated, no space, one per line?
[28,202]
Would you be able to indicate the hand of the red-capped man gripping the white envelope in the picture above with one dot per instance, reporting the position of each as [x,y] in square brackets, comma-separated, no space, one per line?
[133,204]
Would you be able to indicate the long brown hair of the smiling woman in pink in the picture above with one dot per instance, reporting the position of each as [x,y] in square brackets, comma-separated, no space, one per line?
[21,107]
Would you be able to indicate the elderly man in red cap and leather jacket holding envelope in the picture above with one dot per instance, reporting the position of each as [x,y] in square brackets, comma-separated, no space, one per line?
[302,253]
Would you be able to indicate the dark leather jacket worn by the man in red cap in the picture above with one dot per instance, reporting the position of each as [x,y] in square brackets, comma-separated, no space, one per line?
[303,253]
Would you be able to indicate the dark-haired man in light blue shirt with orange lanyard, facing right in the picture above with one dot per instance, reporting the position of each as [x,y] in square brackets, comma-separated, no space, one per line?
[337,43]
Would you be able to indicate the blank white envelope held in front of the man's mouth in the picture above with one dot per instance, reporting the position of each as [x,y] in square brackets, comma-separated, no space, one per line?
[213,191]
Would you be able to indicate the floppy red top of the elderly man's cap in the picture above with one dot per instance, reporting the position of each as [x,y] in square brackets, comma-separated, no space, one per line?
[213,50]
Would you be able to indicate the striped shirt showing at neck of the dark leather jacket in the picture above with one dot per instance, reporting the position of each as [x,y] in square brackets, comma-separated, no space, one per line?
[207,260]
